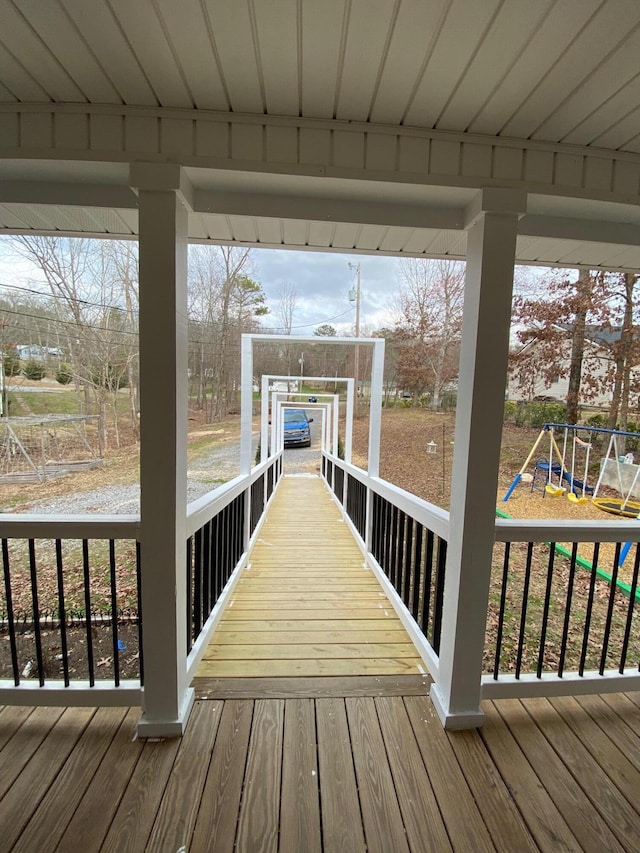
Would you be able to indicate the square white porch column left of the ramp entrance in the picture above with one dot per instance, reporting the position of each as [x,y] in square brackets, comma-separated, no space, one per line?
[163,445]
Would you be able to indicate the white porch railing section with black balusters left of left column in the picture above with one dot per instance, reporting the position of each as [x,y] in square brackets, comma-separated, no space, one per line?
[33,567]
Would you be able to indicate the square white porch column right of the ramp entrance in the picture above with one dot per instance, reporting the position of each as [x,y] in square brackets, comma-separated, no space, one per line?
[492,225]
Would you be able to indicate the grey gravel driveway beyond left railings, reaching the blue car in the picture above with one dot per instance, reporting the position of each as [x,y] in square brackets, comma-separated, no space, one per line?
[203,475]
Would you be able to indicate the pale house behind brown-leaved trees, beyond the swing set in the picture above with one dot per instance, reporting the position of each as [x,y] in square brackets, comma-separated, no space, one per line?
[530,377]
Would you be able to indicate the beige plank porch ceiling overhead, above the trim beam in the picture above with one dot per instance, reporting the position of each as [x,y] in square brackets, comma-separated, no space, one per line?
[554,70]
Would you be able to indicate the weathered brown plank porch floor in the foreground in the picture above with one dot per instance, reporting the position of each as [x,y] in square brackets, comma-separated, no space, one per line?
[328,774]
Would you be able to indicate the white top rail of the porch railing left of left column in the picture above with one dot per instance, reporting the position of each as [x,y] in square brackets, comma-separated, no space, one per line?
[32,526]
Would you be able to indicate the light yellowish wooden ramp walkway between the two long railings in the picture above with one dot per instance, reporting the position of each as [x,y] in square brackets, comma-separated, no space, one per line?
[307,605]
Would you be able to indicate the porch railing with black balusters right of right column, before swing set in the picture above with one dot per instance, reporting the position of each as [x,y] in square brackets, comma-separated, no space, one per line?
[597,647]
